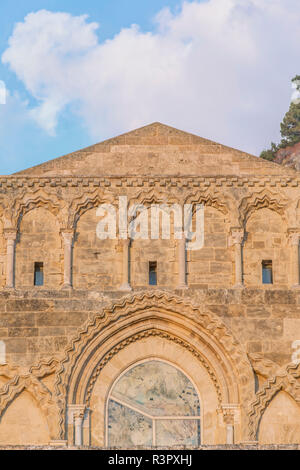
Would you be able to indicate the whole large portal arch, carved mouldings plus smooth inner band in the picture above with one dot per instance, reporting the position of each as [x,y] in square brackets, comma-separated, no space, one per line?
[119,337]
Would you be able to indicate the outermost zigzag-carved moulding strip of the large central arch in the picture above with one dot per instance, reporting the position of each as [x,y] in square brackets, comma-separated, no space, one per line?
[142,302]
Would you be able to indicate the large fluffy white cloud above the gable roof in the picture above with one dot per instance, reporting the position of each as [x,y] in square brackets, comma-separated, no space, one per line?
[221,69]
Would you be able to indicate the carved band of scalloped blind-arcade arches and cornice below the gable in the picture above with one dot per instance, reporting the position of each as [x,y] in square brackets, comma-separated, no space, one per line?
[67,206]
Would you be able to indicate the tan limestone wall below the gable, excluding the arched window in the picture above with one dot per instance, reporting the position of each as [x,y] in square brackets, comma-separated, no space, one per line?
[60,338]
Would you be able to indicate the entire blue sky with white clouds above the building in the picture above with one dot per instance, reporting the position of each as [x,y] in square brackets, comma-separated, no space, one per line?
[76,73]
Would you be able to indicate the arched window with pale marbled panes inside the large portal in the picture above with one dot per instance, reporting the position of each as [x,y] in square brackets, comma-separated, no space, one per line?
[153,404]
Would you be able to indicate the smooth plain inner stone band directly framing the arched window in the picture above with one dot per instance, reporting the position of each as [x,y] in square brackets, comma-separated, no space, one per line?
[149,348]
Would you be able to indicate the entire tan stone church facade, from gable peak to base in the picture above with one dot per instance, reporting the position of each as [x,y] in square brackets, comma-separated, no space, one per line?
[210,324]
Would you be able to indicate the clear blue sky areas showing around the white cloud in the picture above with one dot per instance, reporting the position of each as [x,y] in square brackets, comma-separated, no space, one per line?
[33,145]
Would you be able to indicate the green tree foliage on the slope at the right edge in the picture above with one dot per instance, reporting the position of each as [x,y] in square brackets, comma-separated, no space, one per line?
[289,128]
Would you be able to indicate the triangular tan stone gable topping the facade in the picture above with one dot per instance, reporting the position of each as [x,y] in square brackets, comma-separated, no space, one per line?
[158,150]
